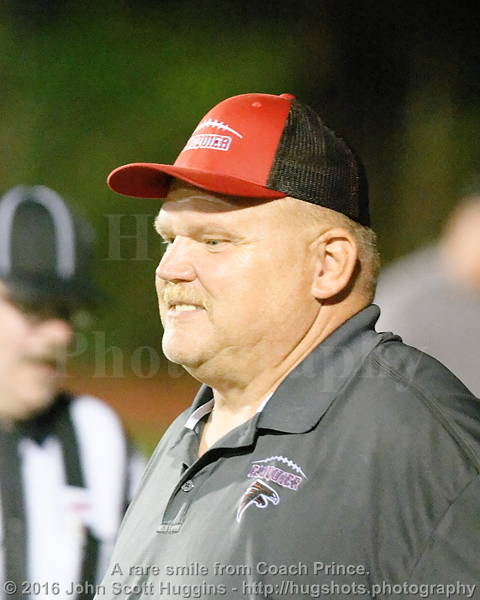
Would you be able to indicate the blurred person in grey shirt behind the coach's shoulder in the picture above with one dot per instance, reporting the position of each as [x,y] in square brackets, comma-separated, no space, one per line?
[431,297]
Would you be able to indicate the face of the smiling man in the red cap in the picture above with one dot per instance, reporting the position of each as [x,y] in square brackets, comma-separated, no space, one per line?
[234,284]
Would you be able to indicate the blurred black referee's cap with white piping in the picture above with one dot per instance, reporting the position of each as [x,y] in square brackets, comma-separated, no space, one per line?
[46,249]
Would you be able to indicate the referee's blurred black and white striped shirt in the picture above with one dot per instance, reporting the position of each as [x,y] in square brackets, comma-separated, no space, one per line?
[65,481]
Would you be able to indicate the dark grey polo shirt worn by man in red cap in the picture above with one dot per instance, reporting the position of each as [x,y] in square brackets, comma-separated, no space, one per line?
[359,476]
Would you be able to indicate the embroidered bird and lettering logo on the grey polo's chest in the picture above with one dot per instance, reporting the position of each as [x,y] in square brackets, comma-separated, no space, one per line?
[260,493]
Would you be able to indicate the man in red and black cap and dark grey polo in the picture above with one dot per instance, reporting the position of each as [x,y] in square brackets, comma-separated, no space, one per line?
[319,457]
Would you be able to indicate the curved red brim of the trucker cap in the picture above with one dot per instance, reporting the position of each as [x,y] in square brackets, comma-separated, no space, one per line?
[150,180]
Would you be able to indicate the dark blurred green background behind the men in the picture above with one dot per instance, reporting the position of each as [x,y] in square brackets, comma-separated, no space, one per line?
[88,85]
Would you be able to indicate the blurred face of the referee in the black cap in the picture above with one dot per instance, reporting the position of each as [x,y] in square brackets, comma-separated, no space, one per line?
[31,356]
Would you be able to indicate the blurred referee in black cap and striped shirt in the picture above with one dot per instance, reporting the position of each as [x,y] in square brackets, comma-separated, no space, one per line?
[66,468]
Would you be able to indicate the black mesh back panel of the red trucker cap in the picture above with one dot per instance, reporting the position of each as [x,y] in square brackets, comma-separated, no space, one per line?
[314,165]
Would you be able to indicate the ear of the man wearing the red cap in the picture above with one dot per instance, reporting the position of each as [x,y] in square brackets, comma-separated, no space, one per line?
[336,259]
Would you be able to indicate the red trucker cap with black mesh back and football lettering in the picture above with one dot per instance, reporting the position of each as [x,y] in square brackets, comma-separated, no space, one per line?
[260,146]
